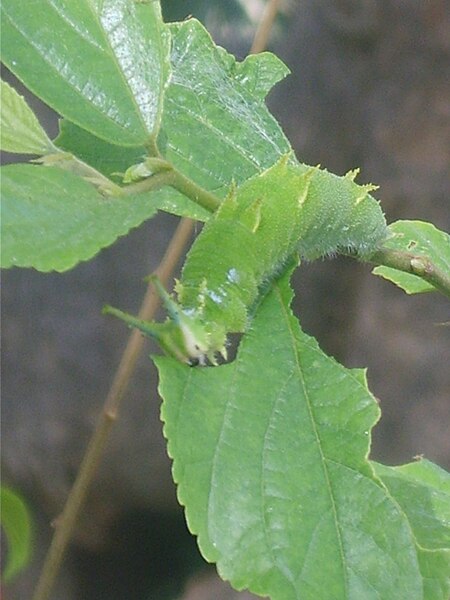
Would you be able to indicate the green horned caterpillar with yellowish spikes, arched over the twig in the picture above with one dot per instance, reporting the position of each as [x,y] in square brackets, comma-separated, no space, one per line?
[288,210]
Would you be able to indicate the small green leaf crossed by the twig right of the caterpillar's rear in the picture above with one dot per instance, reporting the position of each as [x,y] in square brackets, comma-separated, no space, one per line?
[419,239]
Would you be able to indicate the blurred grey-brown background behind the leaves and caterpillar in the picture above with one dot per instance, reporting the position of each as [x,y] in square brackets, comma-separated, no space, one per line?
[369,88]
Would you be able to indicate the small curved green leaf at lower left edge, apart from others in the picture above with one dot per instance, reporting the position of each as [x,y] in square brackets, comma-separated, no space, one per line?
[16,523]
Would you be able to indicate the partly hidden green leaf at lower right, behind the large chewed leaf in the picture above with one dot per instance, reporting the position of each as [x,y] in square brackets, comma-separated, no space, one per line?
[422,489]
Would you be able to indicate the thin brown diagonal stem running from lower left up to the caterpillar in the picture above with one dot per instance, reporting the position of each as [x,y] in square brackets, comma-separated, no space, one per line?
[66,522]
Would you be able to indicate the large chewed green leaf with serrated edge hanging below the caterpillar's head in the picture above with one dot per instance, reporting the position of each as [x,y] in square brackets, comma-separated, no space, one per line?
[270,460]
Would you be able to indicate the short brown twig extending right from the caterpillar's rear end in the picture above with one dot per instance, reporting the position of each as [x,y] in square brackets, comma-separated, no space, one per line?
[415,264]
